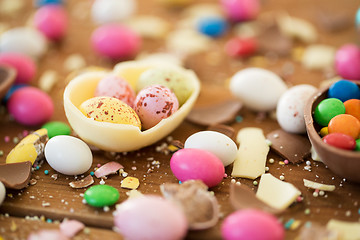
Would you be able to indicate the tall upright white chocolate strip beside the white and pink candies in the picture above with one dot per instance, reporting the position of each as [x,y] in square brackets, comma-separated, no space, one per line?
[251,157]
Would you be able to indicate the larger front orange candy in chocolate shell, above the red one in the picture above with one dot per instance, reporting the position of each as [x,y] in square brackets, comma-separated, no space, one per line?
[346,124]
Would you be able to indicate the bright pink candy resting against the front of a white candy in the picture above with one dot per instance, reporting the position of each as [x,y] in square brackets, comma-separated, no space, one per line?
[197,164]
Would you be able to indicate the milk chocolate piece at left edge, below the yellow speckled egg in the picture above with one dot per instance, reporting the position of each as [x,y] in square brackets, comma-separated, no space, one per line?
[15,175]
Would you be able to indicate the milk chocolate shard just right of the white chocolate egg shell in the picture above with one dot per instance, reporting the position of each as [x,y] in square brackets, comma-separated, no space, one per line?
[223,112]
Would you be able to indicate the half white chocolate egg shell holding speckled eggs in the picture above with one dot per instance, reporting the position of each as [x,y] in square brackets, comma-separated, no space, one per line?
[119,137]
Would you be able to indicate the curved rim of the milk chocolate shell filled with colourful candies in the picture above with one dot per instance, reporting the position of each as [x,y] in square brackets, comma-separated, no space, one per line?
[312,126]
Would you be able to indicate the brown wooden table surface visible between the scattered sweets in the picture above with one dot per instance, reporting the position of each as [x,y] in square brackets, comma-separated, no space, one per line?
[65,202]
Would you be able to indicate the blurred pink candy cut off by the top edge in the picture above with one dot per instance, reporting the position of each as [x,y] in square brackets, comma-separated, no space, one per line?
[241,10]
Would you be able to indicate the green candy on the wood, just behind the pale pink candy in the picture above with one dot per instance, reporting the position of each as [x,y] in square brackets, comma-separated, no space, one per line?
[101,196]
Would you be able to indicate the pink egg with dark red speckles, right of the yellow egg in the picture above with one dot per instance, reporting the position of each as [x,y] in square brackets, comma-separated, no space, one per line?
[154,103]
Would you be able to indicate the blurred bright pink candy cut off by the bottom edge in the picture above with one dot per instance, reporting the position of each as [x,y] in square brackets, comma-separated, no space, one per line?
[251,224]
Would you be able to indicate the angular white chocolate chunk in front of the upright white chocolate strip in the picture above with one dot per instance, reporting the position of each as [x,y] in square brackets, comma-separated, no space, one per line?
[278,194]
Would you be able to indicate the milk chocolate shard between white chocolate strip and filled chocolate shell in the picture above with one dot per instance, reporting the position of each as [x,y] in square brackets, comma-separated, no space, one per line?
[293,147]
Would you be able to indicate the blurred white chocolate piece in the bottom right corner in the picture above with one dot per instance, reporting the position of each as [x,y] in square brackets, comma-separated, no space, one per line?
[346,230]
